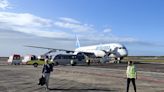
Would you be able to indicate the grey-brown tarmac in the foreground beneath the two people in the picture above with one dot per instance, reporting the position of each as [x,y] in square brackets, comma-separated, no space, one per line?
[94,78]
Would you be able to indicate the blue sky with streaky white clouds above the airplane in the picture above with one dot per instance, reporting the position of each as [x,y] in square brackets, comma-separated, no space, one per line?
[138,24]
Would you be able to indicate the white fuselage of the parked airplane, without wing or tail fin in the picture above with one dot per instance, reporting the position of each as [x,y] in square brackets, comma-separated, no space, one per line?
[116,50]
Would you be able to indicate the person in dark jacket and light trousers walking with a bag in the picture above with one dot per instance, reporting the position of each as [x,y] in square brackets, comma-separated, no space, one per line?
[47,69]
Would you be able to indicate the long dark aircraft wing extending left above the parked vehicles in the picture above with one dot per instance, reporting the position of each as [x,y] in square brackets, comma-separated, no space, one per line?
[52,49]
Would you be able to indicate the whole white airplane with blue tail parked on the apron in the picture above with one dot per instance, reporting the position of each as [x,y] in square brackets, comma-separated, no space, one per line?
[112,50]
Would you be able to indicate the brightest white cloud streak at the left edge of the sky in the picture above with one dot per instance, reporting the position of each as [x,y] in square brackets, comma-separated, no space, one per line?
[23,19]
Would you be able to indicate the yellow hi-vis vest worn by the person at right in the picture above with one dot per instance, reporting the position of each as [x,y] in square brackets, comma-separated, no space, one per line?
[131,71]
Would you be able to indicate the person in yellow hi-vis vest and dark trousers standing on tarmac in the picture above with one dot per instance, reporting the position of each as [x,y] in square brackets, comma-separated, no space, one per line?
[131,75]
